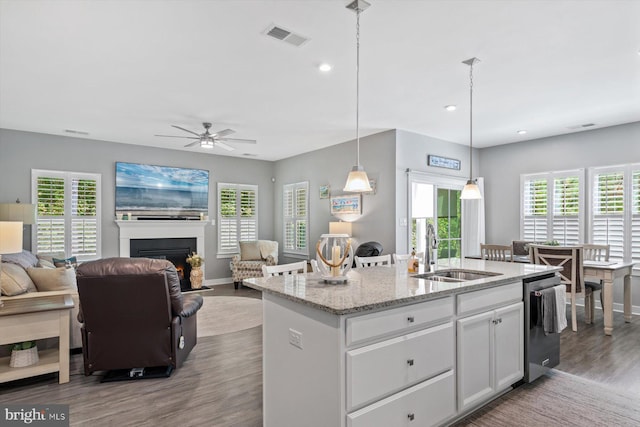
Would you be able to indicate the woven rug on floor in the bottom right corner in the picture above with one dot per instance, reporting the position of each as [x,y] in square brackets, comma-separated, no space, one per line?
[559,399]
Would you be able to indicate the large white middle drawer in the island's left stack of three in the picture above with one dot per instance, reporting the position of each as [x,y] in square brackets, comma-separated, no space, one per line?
[383,368]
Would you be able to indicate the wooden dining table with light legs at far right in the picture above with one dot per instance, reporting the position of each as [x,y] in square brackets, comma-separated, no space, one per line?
[608,272]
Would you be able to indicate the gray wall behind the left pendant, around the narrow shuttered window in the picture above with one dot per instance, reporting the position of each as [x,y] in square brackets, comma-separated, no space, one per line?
[331,166]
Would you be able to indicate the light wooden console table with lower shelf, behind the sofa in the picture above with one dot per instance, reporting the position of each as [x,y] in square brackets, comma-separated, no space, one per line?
[34,316]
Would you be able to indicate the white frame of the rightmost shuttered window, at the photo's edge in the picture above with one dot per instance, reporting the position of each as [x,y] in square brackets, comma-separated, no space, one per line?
[630,218]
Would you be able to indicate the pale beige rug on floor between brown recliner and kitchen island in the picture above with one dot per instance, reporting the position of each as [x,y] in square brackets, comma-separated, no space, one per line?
[223,315]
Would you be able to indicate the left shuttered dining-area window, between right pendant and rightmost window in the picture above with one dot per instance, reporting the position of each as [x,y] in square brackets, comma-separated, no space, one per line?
[551,205]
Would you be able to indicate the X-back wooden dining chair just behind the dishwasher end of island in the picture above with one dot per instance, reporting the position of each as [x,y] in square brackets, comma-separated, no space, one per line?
[570,258]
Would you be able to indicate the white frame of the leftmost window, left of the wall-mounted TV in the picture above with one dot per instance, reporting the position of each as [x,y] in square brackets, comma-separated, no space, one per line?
[68,217]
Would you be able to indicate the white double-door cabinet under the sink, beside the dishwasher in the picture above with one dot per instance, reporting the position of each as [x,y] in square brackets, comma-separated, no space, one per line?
[490,353]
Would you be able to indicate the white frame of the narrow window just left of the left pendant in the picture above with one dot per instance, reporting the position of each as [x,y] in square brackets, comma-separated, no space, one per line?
[290,215]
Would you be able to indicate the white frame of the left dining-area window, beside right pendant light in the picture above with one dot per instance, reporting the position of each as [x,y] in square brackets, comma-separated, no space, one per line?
[551,217]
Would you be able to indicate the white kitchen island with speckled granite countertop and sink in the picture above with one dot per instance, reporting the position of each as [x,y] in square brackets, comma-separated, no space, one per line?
[389,349]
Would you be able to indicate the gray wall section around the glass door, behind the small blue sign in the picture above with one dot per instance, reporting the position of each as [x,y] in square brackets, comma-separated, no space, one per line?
[412,150]
